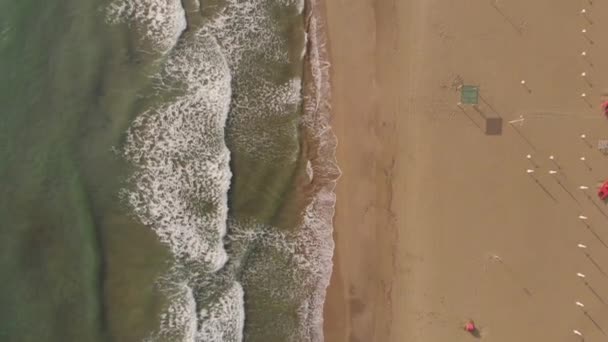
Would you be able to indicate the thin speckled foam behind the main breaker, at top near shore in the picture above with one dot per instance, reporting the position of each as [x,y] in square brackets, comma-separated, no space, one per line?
[247,33]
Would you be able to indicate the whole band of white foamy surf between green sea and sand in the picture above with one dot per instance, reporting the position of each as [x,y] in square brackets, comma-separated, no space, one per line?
[207,90]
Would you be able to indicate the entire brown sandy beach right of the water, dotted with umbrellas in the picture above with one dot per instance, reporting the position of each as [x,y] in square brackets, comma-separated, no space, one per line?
[426,198]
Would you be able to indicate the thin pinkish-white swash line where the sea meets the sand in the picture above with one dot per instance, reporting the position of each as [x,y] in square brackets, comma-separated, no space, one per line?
[319,146]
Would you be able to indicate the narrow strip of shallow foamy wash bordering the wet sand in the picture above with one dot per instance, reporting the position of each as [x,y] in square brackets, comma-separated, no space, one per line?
[317,123]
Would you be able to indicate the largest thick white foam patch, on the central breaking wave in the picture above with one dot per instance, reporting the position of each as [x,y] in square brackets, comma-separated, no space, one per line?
[183,174]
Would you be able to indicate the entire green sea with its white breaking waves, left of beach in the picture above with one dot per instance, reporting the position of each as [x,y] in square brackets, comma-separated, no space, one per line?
[166,169]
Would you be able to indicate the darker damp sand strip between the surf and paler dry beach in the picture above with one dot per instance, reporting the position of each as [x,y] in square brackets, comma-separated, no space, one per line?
[366,83]
